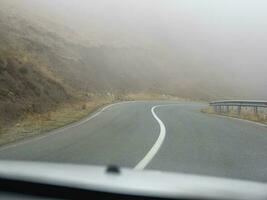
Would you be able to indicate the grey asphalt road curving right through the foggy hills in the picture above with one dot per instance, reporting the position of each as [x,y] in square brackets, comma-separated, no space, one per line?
[165,136]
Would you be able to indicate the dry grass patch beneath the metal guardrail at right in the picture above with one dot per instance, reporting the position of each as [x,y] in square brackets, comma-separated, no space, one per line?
[245,114]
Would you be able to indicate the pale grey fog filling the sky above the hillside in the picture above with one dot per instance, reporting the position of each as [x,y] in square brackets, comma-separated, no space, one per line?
[212,40]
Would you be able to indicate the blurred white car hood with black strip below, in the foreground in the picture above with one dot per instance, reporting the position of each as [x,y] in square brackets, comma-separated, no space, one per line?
[69,181]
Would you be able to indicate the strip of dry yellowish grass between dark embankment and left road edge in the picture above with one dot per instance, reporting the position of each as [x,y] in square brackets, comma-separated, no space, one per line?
[36,124]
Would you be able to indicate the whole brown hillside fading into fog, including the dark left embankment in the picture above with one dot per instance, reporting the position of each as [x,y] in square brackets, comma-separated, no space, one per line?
[45,63]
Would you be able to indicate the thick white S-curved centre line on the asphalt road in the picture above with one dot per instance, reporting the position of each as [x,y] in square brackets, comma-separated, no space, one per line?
[153,151]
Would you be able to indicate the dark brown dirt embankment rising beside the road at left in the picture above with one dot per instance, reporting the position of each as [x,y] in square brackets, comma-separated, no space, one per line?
[24,89]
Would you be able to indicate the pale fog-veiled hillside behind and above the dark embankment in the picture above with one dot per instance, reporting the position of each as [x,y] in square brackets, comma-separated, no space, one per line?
[91,65]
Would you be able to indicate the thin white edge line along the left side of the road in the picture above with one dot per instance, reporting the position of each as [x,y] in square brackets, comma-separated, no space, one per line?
[53,132]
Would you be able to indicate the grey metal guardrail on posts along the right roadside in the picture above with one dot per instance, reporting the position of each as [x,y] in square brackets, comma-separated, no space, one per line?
[219,106]
